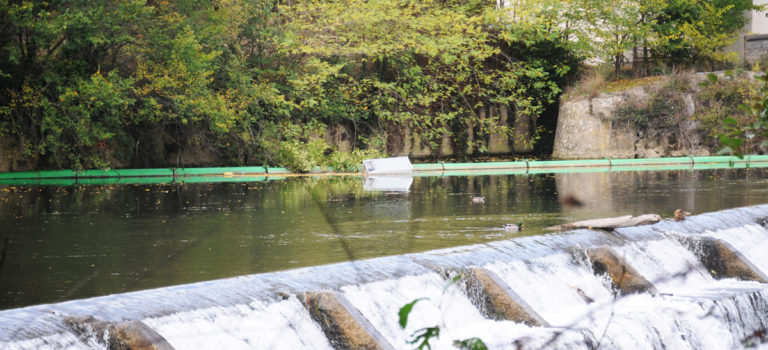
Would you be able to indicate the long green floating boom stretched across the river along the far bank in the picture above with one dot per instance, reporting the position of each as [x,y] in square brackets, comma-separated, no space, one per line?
[256,173]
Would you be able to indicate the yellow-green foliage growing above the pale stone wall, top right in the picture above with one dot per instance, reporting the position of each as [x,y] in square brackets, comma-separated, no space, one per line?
[676,33]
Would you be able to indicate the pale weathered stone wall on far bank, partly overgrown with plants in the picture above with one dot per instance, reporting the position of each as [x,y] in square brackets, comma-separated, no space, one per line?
[587,128]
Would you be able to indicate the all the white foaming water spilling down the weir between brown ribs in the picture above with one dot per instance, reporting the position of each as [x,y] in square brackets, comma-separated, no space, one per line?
[701,314]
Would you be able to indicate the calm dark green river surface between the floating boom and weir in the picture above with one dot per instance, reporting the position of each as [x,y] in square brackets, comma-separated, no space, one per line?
[75,242]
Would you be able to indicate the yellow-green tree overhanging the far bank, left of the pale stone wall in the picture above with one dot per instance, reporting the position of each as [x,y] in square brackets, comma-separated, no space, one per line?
[429,66]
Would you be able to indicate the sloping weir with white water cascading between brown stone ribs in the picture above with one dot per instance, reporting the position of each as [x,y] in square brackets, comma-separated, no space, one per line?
[696,284]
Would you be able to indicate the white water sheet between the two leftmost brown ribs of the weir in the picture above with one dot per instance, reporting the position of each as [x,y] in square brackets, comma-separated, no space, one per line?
[278,325]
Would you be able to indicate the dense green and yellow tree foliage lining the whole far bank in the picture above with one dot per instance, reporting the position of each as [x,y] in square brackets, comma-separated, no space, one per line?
[130,83]
